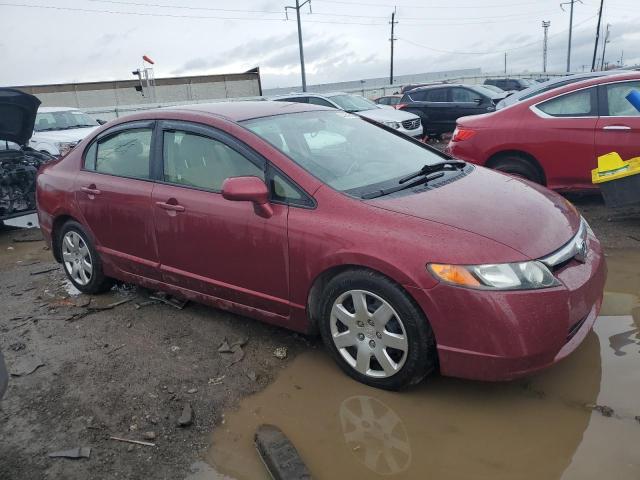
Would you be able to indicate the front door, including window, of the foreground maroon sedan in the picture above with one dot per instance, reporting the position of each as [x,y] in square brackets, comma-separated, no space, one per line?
[211,245]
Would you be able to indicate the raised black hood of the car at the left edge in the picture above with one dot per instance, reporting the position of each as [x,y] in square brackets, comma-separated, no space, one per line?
[17,115]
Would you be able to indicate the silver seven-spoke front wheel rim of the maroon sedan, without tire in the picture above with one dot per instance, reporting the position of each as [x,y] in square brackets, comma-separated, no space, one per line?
[368,334]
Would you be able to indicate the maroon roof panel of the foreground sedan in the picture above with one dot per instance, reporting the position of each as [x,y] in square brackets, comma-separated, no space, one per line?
[246,110]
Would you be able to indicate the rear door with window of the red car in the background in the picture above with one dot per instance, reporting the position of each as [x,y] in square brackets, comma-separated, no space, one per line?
[565,137]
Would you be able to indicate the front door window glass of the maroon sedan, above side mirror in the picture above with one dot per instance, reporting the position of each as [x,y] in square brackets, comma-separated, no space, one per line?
[196,161]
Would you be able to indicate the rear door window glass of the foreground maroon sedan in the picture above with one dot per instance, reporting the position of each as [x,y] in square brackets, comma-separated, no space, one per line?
[125,154]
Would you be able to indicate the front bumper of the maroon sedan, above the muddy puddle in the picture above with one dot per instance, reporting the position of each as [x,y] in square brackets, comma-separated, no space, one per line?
[492,335]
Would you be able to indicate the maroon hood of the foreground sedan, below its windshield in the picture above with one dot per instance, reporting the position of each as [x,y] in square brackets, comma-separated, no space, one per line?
[526,217]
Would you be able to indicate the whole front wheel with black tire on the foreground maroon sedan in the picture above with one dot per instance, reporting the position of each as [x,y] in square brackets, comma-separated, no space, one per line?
[375,332]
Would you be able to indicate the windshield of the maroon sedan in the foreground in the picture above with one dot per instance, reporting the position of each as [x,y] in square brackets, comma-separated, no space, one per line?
[342,150]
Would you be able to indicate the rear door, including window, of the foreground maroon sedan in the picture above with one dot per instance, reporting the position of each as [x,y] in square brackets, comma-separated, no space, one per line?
[113,191]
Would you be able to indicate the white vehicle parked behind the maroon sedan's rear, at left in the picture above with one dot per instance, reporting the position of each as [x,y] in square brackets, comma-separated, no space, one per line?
[58,129]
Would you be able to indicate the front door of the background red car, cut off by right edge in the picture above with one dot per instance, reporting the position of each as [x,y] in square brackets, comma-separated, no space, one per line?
[618,128]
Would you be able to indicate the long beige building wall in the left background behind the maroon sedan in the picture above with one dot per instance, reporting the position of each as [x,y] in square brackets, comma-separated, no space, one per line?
[168,90]
